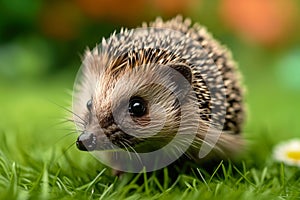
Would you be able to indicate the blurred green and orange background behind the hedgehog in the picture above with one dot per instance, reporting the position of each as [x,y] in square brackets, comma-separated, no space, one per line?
[41,44]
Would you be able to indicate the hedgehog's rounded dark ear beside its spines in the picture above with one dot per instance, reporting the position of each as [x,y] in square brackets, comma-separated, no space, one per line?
[182,77]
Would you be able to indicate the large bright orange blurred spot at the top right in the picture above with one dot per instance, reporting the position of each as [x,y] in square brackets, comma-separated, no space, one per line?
[264,21]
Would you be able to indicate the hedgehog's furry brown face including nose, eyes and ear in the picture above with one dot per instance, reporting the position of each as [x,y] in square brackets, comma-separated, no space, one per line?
[137,106]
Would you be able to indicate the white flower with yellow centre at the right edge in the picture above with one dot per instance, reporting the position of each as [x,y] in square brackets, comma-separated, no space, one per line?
[288,152]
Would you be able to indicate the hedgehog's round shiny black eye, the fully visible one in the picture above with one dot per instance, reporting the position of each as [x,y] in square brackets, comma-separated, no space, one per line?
[137,107]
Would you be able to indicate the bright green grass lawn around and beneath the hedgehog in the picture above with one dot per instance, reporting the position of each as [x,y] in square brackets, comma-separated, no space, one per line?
[38,159]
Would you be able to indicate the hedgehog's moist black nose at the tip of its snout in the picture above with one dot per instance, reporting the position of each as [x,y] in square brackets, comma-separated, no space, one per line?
[86,141]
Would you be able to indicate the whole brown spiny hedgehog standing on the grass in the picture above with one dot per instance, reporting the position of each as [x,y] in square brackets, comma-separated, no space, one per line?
[148,96]
